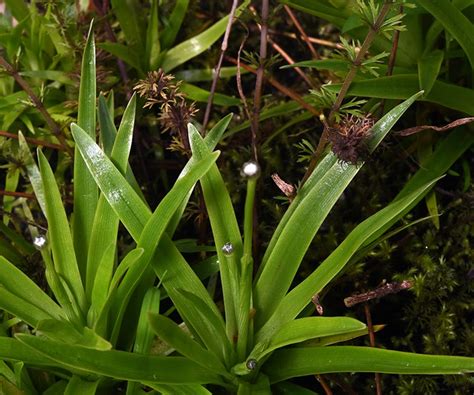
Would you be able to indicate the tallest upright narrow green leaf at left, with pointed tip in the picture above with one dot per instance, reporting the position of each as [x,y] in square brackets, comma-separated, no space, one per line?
[85,189]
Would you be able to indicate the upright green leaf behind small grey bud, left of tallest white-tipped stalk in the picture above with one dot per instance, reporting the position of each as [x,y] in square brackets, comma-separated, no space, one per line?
[225,229]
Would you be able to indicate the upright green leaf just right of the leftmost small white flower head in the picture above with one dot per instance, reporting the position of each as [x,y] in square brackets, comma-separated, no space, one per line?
[60,239]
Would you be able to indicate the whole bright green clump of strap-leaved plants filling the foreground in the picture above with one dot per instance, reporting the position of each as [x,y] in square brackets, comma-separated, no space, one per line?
[101,326]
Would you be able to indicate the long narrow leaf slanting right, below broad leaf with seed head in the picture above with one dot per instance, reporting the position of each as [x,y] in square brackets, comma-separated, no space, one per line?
[293,303]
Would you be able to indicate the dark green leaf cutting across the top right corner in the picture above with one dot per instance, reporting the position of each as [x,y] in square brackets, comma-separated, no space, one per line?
[455,22]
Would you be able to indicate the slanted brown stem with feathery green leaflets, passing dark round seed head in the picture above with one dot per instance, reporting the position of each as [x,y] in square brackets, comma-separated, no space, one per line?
[373,30]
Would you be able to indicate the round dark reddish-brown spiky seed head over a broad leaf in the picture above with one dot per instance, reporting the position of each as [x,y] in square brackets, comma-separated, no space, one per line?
[349,138]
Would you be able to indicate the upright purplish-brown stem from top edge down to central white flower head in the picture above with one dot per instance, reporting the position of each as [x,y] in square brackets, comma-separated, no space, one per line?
[257,99]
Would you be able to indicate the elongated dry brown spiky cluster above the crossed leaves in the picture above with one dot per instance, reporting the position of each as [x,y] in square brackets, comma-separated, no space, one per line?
[160,89]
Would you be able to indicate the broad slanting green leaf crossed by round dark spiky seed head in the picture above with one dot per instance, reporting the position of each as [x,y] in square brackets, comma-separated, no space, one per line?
[297,234]
